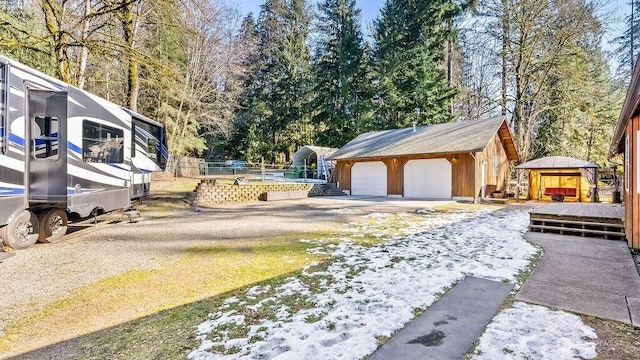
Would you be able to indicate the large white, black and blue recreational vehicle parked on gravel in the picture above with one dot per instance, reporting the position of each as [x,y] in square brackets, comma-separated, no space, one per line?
[67,153]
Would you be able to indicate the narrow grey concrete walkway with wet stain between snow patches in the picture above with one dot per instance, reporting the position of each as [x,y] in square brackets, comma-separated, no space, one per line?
[448,329]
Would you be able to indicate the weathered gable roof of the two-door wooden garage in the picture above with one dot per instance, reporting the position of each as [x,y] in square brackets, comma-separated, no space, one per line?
[447,138]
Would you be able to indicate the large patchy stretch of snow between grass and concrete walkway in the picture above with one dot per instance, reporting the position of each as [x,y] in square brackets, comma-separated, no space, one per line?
[369,290]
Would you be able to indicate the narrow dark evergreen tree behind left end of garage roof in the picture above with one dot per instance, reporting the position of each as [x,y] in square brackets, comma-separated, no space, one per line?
[343,89]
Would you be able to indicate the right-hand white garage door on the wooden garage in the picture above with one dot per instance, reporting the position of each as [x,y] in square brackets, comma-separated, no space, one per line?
[427,178]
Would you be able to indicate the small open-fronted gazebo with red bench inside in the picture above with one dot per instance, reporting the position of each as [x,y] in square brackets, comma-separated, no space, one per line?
[560,178]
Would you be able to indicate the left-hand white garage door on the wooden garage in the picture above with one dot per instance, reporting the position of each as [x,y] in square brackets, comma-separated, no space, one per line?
[369,178]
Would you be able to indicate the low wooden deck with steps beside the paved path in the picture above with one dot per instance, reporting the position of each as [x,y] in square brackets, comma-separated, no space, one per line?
[581,219]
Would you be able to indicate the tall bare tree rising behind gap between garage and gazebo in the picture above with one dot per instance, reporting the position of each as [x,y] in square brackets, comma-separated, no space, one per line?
[536,38]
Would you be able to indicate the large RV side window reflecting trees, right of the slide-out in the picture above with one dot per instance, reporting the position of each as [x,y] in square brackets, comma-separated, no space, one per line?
[102,143]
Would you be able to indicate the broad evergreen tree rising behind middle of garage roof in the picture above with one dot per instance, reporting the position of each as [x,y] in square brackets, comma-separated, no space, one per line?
[410,57]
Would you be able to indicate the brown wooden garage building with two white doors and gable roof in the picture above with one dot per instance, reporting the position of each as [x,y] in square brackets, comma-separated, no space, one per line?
[457,160]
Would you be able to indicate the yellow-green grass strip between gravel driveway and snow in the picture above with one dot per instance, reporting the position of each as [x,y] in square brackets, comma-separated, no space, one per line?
[167,301]
